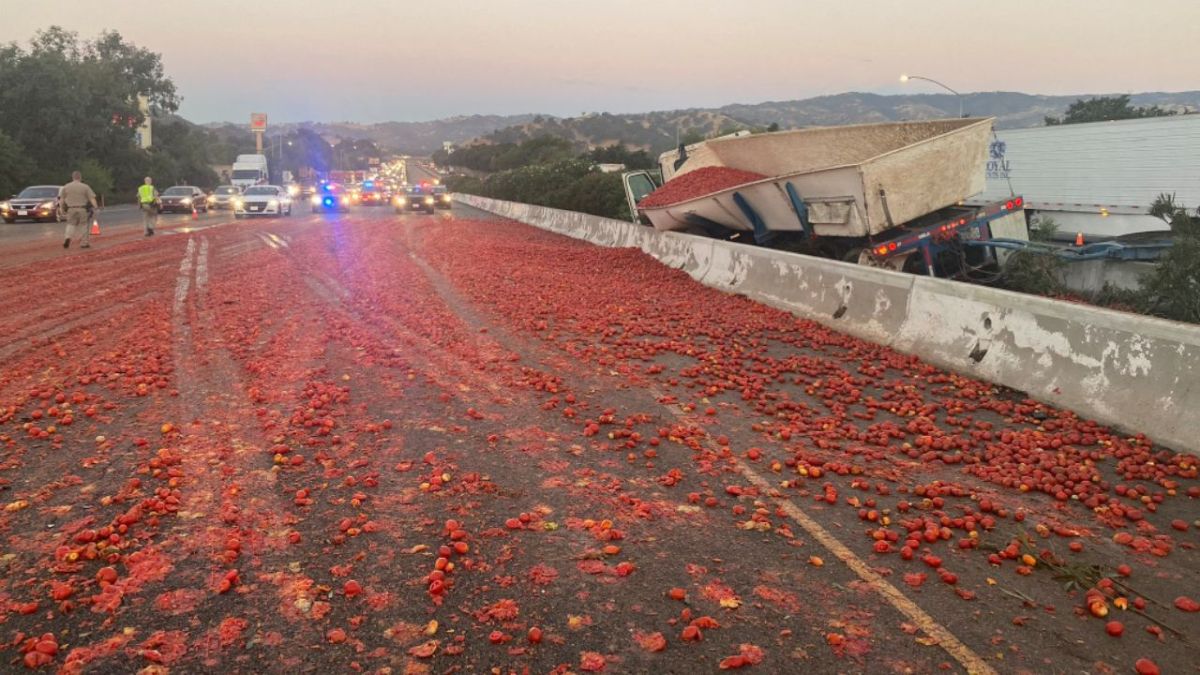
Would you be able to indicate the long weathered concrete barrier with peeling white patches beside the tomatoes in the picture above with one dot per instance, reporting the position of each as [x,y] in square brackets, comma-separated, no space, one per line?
[1135,373]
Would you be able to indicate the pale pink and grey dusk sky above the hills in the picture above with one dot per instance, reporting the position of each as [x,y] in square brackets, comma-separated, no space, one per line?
[374,61]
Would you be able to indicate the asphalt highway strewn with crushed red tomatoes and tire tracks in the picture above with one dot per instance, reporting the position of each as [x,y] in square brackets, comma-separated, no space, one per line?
[418,444]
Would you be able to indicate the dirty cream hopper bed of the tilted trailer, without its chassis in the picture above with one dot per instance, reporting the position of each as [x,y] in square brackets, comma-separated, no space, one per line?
[857,181]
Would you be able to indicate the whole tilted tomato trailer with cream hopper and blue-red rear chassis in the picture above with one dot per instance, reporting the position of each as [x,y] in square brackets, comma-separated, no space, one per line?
[887,195]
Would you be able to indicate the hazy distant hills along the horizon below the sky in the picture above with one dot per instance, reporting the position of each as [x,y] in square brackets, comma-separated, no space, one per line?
[657,132]
